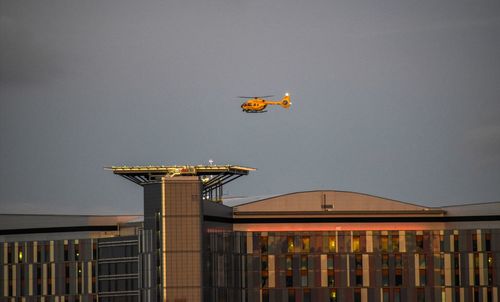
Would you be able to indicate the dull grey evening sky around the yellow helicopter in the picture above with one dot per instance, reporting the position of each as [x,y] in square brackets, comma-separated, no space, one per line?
[393,98]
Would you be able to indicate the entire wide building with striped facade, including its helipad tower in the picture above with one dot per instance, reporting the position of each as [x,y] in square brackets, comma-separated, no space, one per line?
[308,246]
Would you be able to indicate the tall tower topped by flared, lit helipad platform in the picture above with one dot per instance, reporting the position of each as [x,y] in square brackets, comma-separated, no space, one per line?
[171,244]
